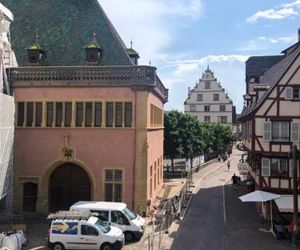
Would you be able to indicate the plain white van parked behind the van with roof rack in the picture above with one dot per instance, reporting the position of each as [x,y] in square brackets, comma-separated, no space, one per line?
[116,214]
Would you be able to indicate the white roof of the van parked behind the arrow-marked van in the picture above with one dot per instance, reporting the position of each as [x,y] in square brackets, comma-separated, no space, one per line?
[95,205]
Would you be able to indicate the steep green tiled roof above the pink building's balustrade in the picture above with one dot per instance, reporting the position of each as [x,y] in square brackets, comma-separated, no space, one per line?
[64,28]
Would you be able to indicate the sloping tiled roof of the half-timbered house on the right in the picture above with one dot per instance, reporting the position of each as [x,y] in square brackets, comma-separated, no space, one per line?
[272,77]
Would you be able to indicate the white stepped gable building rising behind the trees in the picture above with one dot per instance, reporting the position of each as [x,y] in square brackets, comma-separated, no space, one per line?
[208,101]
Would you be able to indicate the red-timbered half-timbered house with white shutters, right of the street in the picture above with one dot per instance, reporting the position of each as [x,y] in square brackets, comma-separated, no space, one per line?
[271,124]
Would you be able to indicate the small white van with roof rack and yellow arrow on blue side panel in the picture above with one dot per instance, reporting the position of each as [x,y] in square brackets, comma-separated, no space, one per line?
[80,230]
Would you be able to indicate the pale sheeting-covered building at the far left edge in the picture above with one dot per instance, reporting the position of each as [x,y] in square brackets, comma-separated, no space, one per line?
[7,109]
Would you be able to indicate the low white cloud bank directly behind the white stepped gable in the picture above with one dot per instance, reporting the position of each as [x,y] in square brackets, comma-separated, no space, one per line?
[229,69]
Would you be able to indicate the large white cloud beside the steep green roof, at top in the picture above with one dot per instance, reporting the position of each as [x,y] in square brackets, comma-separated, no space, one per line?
[150,24]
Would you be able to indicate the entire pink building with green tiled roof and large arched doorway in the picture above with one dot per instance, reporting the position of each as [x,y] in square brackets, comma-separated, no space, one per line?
[89,120]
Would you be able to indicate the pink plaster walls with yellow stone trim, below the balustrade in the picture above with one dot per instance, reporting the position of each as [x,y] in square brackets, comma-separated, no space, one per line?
[38,150]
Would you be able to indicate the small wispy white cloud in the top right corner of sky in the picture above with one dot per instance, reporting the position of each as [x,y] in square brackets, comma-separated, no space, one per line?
[272,14]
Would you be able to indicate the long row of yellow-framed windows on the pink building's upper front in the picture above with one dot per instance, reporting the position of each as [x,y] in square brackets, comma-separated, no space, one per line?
[92,114]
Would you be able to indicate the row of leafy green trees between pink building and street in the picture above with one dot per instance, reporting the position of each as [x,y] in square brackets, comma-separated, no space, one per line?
[187,137]
